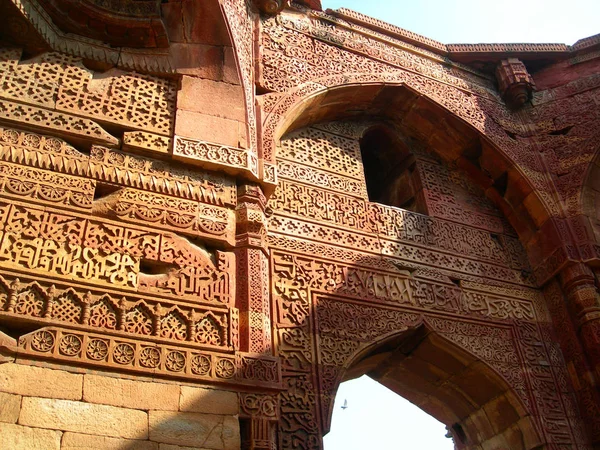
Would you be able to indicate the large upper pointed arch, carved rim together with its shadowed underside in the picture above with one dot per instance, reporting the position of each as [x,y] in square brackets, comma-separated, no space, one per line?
[459,127]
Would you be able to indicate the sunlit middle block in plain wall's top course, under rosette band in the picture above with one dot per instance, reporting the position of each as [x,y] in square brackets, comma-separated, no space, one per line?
[130,394]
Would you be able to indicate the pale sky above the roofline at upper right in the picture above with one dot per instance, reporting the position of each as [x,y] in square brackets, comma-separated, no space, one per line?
[485,21]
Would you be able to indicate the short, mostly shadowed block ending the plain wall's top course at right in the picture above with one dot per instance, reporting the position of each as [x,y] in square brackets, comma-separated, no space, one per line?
[209,401]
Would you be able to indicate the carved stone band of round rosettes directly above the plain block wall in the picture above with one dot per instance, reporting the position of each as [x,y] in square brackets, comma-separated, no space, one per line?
[140,357]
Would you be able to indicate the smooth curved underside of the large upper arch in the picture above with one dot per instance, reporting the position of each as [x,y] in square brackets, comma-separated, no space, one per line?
[453,139]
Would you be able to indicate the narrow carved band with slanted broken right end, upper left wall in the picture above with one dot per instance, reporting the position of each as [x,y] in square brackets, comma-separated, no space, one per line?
[59,123]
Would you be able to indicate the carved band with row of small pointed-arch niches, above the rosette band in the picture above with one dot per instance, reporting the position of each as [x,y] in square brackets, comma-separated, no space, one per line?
[135,316]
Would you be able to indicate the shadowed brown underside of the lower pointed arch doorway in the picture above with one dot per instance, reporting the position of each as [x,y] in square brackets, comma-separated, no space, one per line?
[478,407]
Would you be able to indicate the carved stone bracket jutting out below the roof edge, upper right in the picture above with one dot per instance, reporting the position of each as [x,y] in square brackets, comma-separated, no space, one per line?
[515,83]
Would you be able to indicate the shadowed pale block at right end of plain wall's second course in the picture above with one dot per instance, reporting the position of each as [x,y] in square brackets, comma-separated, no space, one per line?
[195,430]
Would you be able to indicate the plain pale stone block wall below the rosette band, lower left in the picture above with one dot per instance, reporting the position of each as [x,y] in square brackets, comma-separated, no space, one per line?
[50,409]
